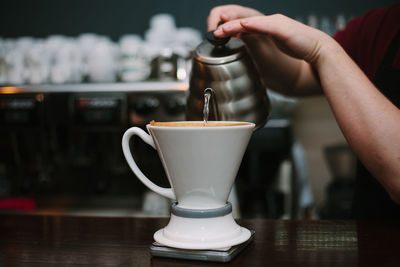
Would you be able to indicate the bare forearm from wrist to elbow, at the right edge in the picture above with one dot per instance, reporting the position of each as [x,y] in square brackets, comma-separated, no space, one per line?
[368,120]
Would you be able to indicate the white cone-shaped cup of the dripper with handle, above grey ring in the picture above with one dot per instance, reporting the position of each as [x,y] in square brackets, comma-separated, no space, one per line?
[200,162]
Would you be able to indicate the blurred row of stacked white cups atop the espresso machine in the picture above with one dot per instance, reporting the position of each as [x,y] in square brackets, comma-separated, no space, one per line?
[60,59]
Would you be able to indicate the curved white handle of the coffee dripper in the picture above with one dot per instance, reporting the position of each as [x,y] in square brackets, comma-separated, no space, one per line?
[165,192]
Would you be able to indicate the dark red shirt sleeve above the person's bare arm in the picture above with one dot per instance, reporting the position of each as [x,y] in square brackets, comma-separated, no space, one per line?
[367,38]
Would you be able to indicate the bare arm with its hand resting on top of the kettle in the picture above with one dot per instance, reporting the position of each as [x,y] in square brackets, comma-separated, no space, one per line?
[368,120]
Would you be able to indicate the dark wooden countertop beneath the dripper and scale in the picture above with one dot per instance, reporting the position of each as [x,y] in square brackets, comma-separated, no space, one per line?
[36,240]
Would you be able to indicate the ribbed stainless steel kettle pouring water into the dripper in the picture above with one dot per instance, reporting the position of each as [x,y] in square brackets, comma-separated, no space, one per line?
[239,93]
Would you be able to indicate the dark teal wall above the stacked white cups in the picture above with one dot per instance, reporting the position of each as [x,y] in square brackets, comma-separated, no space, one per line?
[41,18]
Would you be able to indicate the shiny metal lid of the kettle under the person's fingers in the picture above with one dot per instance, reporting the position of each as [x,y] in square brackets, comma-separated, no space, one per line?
[212,53]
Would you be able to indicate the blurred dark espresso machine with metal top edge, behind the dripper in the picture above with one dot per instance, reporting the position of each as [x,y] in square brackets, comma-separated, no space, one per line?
[64,140]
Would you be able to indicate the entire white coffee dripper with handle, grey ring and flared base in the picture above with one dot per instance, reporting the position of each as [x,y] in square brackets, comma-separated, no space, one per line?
[201,163]
